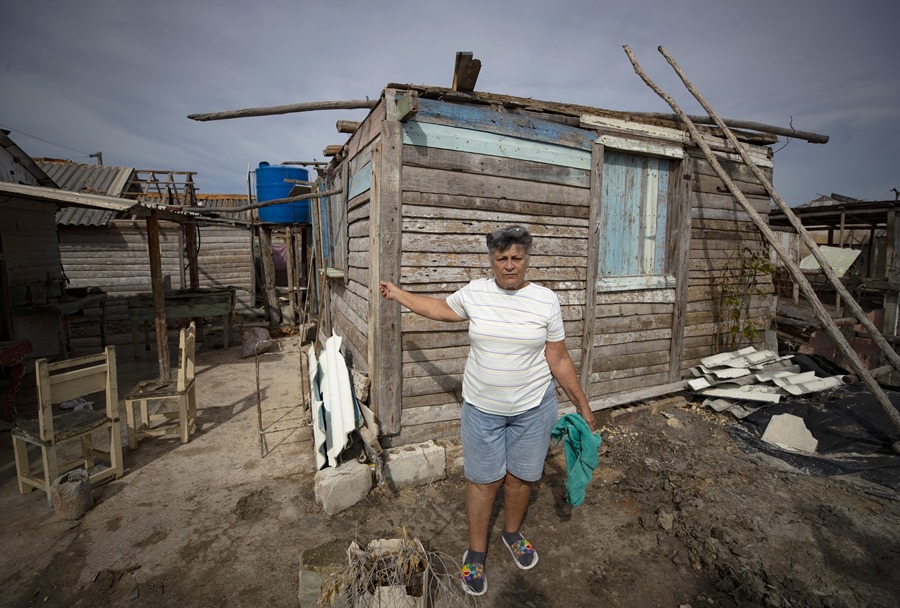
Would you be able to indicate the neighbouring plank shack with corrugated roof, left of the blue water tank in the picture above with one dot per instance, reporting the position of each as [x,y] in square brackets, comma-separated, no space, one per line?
[105,249]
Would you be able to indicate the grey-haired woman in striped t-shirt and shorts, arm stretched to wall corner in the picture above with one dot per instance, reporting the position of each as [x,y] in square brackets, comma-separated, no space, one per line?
[517,349]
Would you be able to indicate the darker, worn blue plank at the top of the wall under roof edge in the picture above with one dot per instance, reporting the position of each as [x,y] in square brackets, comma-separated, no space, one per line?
[482,118]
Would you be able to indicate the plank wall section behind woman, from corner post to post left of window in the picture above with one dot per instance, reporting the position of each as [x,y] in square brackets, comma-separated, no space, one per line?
[460,183]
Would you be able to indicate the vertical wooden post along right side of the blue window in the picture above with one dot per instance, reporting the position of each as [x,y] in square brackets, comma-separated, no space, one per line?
[679,242]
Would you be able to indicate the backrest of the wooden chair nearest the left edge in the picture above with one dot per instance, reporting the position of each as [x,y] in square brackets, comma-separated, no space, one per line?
[64,380]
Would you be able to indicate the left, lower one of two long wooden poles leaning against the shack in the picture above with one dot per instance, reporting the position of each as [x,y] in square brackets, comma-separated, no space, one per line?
[822,314]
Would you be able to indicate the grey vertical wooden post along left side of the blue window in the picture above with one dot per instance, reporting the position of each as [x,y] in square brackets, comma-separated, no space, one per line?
[590,282]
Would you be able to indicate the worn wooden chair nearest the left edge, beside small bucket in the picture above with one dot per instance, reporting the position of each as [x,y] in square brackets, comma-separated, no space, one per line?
[56,383]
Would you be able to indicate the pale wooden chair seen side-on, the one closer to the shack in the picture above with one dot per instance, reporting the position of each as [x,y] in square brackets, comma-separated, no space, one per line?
[179,386]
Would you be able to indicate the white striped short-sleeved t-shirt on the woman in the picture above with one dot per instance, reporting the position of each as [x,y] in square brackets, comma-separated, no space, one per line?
[507,372]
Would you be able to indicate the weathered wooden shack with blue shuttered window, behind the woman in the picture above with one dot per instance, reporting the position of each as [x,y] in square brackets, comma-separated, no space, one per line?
[633,231]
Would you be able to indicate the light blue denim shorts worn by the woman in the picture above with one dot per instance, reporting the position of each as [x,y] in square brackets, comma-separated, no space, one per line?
[494,444]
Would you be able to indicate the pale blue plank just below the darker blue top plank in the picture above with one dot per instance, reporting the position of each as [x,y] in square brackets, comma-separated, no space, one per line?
[480,142]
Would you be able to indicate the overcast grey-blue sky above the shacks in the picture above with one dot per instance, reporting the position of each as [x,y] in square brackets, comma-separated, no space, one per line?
[121,76]
